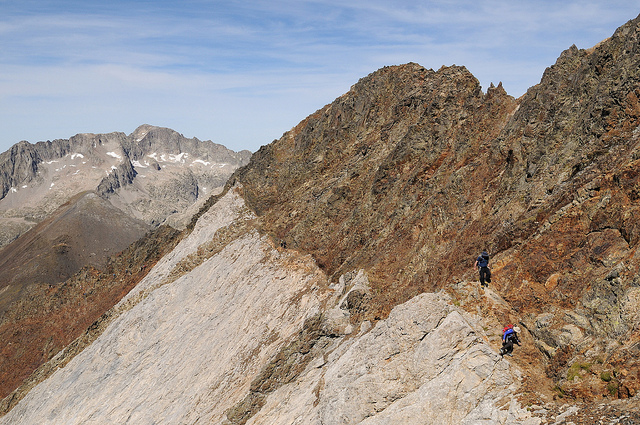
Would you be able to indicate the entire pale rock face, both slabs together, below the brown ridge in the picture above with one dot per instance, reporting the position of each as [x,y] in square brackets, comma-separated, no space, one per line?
[194,336]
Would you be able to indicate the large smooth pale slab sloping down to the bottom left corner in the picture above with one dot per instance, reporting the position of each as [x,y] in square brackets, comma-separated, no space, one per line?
[188,348]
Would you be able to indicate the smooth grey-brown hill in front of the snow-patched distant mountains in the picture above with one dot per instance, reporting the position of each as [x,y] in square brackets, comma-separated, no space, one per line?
[84,231]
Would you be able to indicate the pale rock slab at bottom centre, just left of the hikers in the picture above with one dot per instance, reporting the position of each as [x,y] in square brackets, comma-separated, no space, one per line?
[424,364]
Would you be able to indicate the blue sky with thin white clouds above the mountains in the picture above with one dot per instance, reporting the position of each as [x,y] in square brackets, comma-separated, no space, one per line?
[241,73]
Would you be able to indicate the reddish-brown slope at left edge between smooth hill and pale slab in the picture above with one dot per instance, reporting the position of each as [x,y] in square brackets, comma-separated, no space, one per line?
[48,318]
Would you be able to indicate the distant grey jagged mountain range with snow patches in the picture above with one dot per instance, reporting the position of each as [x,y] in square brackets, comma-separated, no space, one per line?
[154,174]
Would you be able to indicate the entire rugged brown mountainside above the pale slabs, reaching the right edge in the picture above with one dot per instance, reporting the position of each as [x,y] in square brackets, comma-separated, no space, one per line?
[413,172]
